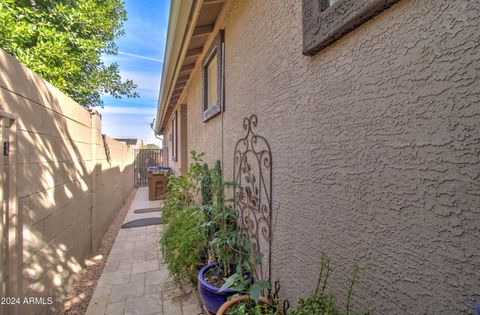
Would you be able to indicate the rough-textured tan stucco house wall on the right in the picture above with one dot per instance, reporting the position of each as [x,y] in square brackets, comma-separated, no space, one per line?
[376,146]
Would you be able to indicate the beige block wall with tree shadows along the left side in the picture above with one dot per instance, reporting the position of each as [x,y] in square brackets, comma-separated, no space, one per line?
[68,190]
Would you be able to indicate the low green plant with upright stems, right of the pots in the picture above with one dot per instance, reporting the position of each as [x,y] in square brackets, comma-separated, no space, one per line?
[321,302]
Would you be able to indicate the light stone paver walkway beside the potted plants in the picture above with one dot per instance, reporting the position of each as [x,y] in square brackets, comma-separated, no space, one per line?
[134,280]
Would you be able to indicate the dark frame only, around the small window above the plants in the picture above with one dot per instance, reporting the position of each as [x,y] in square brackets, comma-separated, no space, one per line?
[215,50]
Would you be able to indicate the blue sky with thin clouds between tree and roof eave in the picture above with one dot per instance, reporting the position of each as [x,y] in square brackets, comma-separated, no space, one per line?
[140,58]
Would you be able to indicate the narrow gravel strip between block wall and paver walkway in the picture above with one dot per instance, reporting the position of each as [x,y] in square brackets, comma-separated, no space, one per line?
[77,301]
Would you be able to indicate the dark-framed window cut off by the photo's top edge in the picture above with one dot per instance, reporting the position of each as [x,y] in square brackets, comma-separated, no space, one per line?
[325,21]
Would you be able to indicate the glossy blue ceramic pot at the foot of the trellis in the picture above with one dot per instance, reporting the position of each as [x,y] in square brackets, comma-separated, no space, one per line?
[211,297]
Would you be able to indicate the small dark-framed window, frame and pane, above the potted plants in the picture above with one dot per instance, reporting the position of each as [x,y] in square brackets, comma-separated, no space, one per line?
[213,80]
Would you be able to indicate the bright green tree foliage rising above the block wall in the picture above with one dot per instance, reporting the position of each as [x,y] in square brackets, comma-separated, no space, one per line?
[63,40]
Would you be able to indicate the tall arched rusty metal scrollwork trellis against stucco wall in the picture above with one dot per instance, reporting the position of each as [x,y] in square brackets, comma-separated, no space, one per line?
[252,175]
